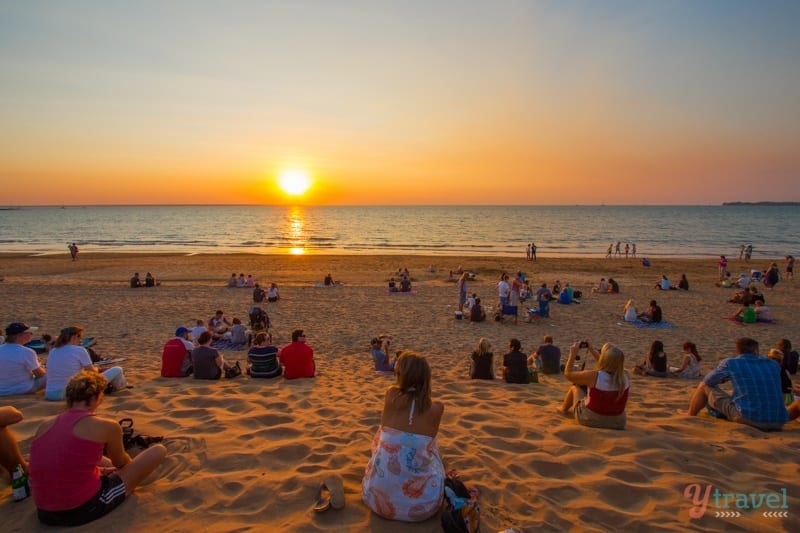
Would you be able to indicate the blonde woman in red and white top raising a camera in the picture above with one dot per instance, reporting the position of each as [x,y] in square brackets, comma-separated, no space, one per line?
[598,397]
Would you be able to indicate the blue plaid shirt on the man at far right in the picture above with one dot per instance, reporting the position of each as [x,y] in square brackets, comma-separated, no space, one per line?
[756,387]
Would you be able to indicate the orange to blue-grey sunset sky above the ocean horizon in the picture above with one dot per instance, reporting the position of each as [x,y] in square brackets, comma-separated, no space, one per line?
[431,102]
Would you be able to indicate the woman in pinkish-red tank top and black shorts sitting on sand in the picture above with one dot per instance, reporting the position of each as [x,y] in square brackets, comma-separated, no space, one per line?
[79,469]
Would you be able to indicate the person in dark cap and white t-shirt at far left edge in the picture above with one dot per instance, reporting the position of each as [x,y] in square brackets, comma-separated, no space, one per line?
[20,371]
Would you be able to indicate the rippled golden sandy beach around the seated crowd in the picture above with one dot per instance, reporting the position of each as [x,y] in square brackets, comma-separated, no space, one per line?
[248,455]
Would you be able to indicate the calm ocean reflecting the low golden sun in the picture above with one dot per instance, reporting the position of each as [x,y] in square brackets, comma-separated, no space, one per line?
[679,231]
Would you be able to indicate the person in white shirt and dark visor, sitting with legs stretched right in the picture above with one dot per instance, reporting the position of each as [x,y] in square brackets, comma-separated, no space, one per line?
[68,358]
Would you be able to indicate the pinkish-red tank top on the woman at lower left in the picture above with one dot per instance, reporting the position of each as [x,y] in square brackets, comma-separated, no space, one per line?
[63,467]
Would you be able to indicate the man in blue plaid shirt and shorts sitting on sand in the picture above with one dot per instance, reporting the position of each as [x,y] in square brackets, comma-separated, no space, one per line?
[756,399]
